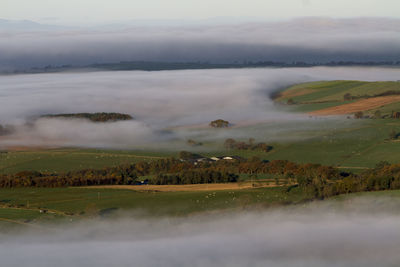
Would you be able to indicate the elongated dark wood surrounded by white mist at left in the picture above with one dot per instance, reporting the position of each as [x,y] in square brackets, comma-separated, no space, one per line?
[95,117]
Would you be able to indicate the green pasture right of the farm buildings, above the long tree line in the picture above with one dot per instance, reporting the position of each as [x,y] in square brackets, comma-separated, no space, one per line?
[360,144]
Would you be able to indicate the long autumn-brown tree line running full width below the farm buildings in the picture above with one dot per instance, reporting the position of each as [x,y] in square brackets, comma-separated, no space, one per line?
[318,181]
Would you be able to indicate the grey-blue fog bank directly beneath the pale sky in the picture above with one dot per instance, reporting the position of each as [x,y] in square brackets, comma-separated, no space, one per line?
[308,39]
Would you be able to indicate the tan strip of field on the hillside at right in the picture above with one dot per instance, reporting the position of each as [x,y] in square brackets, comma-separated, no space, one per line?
[361,105]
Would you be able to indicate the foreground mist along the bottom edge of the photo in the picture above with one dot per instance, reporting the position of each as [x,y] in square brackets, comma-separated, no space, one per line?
[361,232]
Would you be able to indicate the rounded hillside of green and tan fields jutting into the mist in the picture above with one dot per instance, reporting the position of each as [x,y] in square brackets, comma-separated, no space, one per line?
[327,98]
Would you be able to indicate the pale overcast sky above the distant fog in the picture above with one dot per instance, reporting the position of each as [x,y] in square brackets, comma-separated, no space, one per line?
[105,11]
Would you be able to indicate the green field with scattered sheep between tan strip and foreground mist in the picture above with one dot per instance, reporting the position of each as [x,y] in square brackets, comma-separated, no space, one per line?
[22,206]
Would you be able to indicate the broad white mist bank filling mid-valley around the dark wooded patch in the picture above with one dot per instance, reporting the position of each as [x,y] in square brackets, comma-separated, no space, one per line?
[166,105]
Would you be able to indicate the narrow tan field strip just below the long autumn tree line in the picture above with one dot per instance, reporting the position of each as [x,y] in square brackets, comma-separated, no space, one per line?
[188,187]
